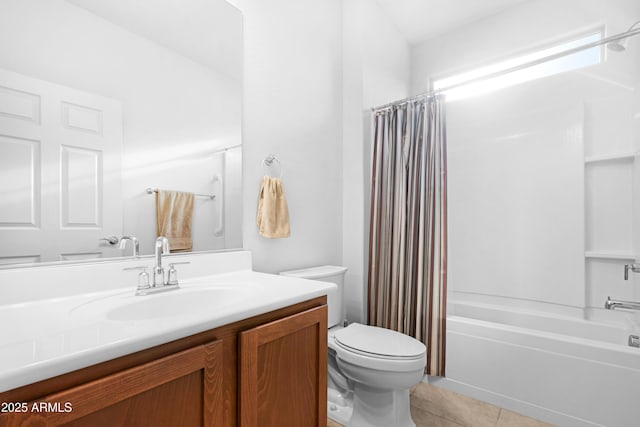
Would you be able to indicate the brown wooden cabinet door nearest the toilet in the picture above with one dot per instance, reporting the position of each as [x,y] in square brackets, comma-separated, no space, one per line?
[283,372]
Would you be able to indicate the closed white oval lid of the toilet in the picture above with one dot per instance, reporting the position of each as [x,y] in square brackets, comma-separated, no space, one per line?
[379,341]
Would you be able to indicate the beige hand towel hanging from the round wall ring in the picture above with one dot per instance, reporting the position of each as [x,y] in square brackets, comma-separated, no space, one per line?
[273,212]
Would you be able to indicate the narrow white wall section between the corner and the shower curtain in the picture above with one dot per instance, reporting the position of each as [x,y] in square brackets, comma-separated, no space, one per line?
[376,70]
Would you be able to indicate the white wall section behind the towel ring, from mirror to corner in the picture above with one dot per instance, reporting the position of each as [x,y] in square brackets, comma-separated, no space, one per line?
[292,109]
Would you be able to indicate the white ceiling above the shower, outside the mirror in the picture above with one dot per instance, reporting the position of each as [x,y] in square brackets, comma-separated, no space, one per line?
[420,20]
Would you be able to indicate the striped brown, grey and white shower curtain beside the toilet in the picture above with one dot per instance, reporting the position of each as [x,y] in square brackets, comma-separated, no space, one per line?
[407,278]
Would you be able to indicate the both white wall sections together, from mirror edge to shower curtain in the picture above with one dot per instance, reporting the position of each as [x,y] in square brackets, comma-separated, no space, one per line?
[313,70]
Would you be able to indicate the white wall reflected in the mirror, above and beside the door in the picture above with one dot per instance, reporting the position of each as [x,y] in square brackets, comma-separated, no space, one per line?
[176,111]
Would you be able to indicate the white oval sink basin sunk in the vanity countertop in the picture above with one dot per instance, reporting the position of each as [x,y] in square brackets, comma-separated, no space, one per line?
[180,302]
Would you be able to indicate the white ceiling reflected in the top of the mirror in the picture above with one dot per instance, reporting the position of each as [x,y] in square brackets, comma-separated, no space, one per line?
[206,31]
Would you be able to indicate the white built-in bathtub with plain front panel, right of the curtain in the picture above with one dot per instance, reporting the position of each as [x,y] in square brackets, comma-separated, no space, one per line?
[564,370]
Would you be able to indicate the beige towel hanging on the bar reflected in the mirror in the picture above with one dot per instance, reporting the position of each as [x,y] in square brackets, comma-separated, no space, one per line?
[174,215]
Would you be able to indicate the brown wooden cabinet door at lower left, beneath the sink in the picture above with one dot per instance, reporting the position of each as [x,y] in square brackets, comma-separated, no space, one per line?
[183,389]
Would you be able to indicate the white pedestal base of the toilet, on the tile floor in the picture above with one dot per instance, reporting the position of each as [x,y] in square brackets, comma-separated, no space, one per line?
[380,408]
